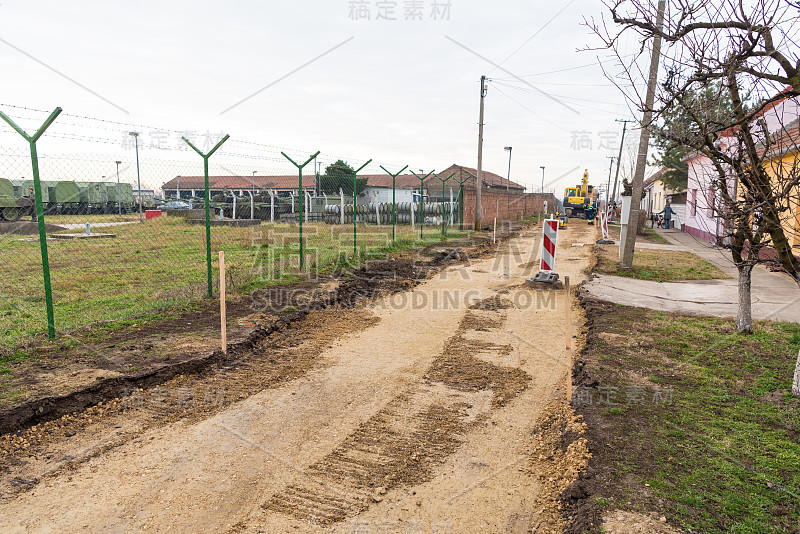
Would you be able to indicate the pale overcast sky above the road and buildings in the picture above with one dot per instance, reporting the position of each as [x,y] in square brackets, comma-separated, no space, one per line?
[403,91]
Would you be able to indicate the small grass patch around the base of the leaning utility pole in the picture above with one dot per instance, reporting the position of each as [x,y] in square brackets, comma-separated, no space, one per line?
[658,265]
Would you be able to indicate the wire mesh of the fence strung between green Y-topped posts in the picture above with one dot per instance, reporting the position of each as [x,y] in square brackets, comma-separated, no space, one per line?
[123,246]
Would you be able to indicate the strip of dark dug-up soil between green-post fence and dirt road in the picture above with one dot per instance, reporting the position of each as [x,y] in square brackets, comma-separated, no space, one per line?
[91,365]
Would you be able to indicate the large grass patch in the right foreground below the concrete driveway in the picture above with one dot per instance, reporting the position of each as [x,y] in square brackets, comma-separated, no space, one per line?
[721,453]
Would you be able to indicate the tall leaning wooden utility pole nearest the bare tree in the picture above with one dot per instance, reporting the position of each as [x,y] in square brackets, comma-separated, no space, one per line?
[644,144]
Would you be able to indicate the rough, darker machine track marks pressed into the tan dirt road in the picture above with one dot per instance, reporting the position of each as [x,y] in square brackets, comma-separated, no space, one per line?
[403,443]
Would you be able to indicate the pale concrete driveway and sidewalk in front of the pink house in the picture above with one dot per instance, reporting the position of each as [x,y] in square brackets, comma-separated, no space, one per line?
[775,296]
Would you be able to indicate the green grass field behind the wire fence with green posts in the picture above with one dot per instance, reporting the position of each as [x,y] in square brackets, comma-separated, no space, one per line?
[160,264]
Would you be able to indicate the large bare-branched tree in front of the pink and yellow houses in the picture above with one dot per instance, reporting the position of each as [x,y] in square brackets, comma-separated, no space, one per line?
[746,53]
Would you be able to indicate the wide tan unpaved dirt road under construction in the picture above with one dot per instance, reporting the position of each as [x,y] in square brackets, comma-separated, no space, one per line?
[415,414]
